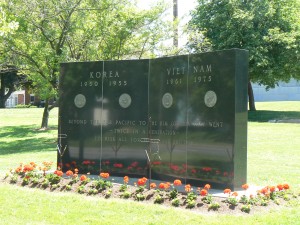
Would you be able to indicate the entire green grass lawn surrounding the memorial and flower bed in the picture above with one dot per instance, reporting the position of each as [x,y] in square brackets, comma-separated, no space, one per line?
[273,157]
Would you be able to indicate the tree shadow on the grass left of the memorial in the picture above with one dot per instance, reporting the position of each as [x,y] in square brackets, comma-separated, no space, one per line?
[21,139]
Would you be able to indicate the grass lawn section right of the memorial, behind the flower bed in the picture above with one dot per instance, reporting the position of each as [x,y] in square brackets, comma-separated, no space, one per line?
[273,148]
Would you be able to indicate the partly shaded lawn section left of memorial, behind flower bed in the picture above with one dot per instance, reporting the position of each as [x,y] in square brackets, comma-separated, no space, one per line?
[22,141]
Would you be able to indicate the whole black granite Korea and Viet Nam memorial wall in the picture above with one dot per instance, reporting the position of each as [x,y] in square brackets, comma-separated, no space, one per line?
[181,117]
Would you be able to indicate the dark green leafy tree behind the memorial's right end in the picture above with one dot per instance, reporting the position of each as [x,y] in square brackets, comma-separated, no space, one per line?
[269,29]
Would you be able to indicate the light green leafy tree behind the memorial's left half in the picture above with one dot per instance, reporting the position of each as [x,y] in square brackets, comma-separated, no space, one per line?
[51,32]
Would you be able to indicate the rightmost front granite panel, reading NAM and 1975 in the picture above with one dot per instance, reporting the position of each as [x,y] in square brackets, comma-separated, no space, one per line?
[211,118]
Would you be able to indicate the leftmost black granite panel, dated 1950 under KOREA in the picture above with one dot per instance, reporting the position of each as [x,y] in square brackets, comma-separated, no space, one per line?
[80,90]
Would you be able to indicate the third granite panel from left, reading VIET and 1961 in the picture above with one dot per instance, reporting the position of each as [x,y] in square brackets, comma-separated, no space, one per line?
[168,111]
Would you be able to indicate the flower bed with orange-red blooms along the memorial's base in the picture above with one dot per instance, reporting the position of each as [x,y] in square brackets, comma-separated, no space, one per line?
[166,193]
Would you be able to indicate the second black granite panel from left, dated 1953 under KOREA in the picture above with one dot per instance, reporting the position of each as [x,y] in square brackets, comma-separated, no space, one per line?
[125,111]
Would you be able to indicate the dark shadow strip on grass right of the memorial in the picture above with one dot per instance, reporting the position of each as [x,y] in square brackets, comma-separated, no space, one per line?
[268,115]
